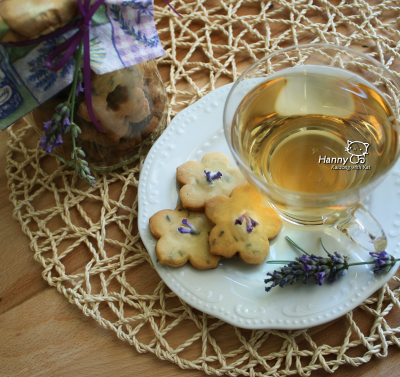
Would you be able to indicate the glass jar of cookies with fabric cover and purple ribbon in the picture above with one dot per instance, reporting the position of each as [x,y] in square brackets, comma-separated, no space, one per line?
[130,104]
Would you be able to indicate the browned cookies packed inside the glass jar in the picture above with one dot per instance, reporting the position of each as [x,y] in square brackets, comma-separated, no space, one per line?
[128,103]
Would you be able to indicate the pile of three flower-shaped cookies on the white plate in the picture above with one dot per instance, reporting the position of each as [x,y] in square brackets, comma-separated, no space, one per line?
[220,216]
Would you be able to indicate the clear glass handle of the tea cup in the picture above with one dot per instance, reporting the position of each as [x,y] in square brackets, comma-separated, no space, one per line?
[361,227]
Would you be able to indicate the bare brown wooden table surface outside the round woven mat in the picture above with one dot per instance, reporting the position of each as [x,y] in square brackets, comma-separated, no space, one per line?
[42,334]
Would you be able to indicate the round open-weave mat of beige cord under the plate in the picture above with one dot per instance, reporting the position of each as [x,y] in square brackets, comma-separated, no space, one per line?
[87,240]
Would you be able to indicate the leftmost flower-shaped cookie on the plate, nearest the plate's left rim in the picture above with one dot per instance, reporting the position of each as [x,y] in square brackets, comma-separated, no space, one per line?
[183,237]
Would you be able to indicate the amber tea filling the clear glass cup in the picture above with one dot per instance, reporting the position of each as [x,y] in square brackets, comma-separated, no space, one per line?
[316,129]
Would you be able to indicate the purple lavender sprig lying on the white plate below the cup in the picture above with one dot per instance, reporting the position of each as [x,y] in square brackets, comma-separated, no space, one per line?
[329,268]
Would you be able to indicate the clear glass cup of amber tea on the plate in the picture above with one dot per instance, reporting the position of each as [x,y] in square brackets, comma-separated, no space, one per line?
[314,128]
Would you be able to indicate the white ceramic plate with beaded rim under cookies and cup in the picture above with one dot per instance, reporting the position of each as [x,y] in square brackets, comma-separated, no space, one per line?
[234,291]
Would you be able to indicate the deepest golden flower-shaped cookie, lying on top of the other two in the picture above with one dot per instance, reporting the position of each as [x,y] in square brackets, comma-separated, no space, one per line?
[243,225]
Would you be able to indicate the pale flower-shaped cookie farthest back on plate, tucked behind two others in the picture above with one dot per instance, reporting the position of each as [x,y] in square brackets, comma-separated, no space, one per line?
[202,180]
